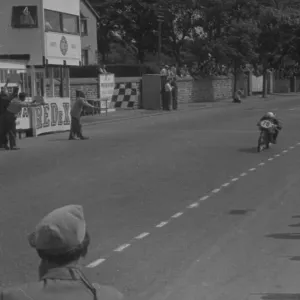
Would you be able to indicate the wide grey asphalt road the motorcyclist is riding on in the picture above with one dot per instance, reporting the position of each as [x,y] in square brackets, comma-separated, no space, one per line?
[179,206]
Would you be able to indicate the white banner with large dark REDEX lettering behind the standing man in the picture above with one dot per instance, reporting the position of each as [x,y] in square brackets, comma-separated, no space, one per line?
[52,117]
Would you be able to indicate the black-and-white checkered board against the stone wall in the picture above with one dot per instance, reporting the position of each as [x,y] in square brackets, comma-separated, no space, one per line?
[125,95]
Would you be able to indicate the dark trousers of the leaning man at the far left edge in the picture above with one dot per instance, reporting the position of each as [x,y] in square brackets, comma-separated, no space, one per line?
[8,128]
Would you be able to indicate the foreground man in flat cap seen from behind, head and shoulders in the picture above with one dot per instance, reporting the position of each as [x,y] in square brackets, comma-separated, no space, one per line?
[61,240]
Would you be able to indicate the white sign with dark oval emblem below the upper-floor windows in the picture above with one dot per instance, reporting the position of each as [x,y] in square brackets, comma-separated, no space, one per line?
[62,47]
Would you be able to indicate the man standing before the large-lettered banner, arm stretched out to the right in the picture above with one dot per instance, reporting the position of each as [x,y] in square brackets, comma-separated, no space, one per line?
[76,128]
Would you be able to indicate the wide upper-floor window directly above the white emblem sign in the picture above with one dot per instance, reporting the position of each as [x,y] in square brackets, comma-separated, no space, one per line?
[61,22]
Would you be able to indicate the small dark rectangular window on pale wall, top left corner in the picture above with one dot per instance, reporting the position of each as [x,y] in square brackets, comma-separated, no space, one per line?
[24,17]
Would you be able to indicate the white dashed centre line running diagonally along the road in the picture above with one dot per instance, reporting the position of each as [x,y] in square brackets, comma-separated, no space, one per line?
[196,204]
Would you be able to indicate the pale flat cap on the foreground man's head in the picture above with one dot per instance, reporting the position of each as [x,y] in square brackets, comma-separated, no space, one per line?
[60,231]
